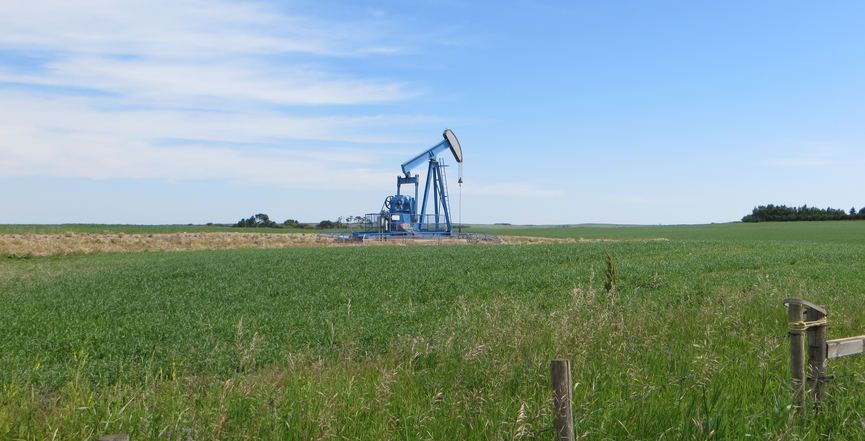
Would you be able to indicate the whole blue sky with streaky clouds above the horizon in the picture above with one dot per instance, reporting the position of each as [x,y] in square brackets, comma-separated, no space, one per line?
[174,112]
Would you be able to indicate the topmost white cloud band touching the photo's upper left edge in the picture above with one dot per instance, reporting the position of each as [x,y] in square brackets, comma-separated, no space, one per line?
[179,29]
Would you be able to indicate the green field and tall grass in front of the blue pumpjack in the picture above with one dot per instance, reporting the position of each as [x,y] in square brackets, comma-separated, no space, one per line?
[684,339]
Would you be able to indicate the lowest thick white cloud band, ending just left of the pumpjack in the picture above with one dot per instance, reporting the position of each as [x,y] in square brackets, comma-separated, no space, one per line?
[107,156]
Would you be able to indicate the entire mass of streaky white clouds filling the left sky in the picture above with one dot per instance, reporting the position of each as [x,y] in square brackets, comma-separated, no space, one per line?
[110,87]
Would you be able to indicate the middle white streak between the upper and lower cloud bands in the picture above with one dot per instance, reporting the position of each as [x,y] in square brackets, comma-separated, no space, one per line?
[223,84]
